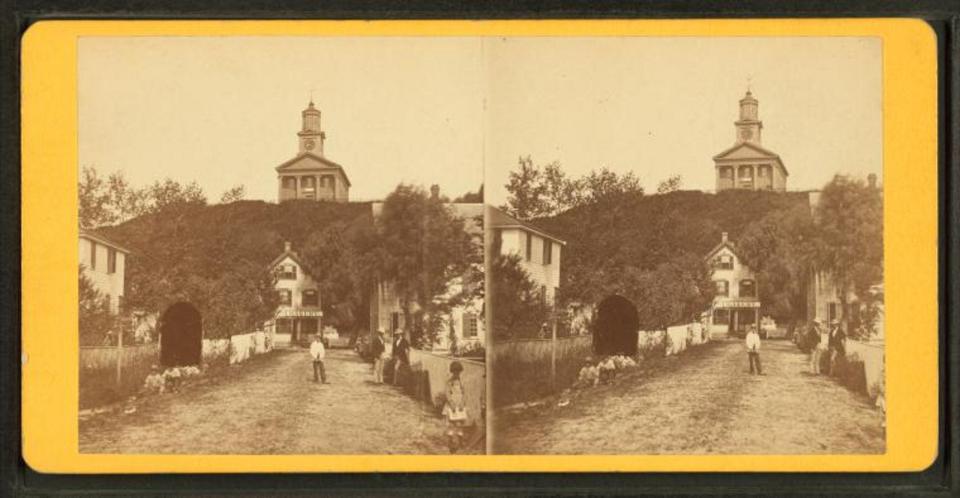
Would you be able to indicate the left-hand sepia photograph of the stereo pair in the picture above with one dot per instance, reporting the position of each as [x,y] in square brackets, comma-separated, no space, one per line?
[281,245]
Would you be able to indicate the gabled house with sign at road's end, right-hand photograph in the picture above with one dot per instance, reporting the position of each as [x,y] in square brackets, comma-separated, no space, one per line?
[736,304]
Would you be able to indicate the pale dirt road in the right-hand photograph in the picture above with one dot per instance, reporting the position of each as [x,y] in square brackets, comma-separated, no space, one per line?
[703,402]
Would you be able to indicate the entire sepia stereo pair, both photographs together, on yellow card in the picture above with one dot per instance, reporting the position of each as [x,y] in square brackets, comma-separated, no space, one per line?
[286,247]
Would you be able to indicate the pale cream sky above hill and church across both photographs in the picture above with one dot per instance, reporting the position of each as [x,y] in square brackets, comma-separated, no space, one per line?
[458,111]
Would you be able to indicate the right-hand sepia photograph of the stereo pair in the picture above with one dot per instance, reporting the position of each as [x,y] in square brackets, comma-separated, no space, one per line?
[684,245]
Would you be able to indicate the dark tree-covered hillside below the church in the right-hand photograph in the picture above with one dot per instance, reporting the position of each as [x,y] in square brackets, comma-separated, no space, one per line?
[650,248]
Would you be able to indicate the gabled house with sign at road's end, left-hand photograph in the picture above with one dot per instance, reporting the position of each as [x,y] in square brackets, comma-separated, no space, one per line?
[298,314]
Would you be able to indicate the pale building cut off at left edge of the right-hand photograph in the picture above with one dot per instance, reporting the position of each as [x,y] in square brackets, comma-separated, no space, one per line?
[539,251]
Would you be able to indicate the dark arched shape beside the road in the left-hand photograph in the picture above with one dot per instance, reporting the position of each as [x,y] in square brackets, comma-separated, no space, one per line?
[181,335]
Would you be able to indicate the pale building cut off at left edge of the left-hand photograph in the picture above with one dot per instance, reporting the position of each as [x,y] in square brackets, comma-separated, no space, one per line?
[104,263]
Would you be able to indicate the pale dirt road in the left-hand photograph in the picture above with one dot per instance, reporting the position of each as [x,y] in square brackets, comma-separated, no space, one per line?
[271,405]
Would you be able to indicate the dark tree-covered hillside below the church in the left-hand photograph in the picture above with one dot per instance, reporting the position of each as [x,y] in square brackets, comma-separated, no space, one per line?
[216,256]
